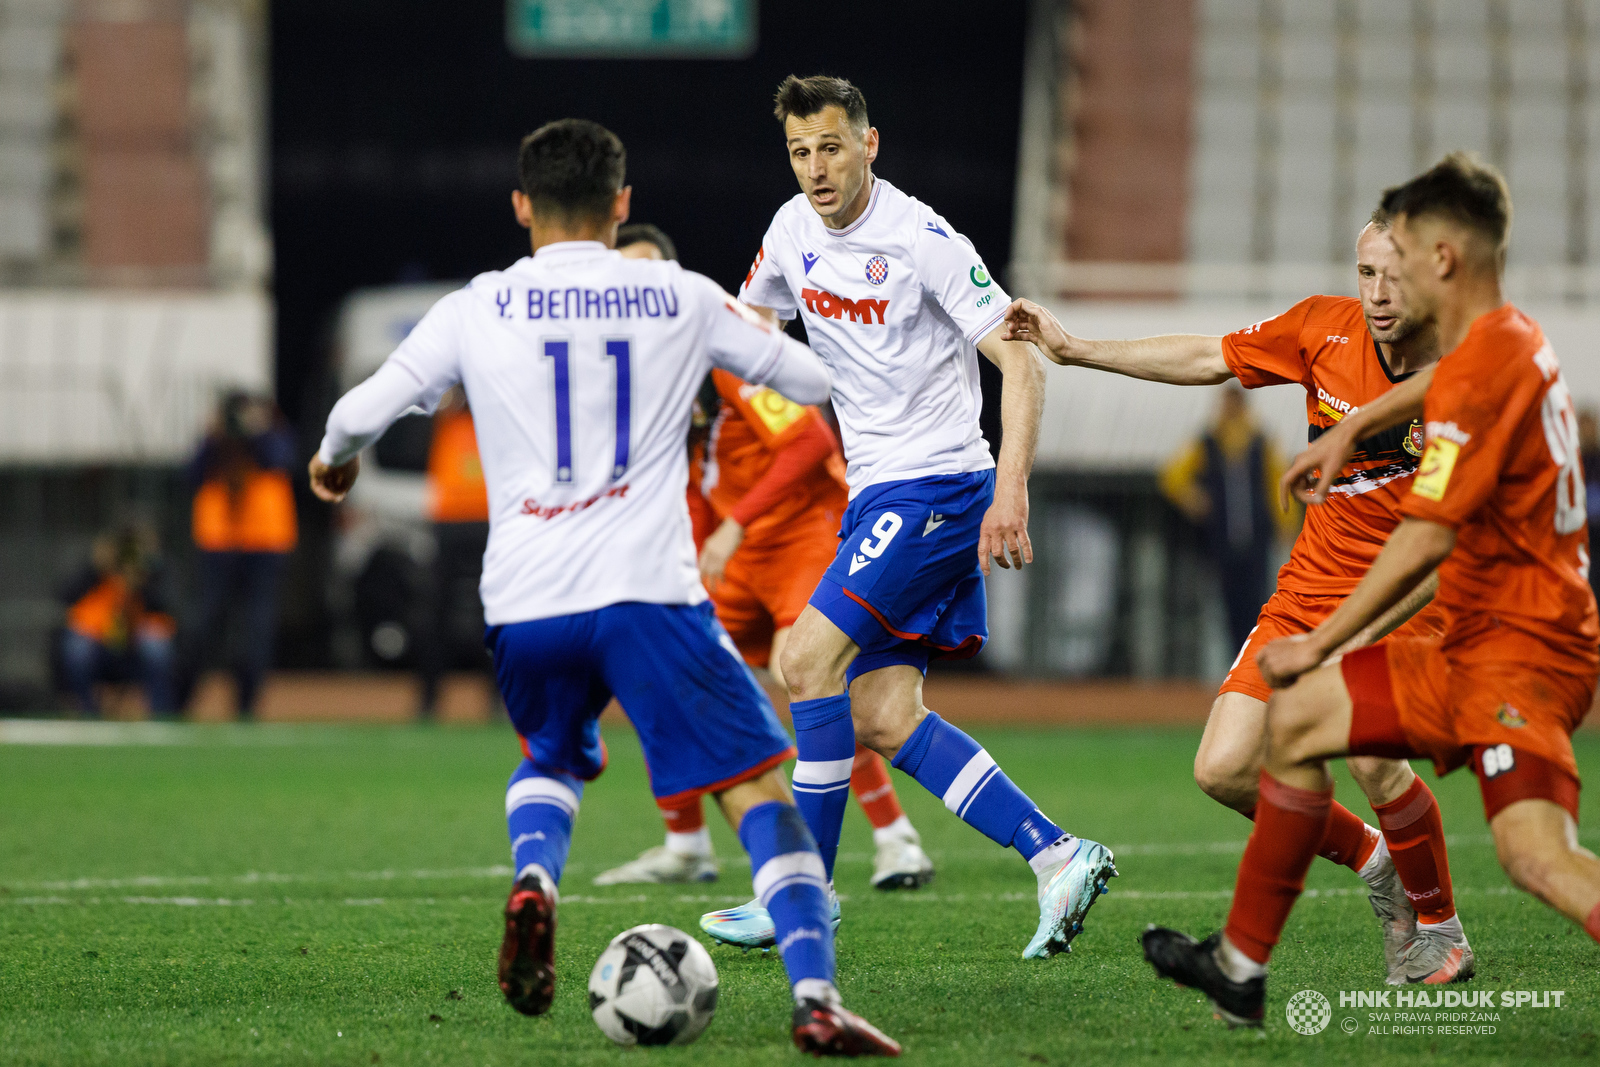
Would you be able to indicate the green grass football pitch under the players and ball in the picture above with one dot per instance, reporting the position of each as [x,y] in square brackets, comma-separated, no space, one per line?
[330,897]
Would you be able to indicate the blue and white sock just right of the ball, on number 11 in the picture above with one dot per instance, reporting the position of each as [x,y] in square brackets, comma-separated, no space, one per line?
[791,887]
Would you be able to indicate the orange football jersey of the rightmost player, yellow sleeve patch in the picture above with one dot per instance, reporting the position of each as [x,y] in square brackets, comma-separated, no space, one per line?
[1503,470]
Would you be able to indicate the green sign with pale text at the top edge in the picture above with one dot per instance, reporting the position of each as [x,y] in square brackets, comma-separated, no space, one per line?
[631,28]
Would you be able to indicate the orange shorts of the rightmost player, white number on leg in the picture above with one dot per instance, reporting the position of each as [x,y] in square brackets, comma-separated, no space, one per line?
[1506,717]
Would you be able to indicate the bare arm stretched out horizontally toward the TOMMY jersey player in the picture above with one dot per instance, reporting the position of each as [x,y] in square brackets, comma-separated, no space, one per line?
[1178,359]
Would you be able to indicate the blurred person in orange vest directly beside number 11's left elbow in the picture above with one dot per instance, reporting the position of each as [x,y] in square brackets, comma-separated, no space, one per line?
[458,505]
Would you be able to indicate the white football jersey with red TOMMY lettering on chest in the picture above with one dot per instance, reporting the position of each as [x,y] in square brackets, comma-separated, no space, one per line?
[895,306]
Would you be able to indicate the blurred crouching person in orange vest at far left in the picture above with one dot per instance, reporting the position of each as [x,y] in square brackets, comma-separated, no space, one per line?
[119,625]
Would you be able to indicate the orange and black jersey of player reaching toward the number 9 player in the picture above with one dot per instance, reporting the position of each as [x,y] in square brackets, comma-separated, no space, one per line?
[1324,345]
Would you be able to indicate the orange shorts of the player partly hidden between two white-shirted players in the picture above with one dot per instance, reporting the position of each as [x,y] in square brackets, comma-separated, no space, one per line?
[769,583]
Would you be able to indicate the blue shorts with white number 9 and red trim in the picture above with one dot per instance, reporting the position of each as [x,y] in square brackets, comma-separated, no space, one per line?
[906,585]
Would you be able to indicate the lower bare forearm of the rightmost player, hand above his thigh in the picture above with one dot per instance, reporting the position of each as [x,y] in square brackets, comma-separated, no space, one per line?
[1414,551]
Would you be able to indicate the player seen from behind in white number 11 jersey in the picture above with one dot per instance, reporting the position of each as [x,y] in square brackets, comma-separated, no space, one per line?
[582,369]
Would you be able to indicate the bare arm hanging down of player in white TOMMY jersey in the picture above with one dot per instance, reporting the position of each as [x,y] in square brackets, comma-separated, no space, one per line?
[1004,533]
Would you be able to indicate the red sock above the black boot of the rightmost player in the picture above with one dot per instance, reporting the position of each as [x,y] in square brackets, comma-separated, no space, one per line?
[1290,825]
